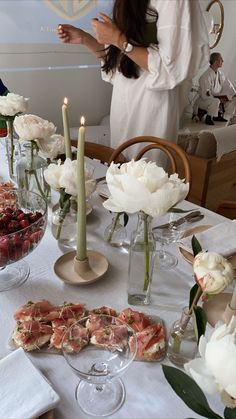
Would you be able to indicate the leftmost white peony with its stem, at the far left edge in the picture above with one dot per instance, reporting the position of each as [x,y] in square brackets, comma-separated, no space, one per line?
[11,105]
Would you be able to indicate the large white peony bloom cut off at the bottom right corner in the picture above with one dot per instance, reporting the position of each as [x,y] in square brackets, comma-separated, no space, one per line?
[215,371]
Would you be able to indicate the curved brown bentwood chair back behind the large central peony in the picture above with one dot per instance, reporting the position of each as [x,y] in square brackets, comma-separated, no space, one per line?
[177,157]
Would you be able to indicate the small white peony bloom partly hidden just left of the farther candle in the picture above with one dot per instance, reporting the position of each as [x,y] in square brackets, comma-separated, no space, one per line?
[53,146]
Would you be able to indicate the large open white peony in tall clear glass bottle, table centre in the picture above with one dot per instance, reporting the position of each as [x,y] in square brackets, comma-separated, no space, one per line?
[142,187]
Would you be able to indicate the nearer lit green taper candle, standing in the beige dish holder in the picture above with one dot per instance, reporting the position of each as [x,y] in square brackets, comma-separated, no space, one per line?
[81,253]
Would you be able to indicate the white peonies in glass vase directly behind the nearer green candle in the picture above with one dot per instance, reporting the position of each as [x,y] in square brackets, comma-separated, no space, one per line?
[63,178]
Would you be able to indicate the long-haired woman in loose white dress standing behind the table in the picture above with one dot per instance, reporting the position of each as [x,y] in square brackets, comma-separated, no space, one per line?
[148,49]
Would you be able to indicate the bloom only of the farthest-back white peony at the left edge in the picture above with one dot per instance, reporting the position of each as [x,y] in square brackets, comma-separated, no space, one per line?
[12,104]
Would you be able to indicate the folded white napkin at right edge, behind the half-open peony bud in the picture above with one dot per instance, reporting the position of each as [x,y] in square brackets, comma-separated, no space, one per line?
[220,239]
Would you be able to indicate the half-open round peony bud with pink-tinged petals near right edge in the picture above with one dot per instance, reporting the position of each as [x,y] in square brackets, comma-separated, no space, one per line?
[212,272]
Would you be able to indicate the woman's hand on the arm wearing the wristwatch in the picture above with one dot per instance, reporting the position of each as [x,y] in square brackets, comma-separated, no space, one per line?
[106,31]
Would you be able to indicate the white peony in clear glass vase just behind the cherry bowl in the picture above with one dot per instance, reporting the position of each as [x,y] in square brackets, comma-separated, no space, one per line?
[32,128]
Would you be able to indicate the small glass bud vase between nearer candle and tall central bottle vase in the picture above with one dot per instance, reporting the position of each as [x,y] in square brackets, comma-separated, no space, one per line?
[115,233]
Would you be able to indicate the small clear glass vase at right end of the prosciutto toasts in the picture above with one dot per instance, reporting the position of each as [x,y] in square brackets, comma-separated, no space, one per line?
[182,343]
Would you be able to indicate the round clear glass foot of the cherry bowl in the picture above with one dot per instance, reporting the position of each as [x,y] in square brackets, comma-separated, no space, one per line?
[14,275]
